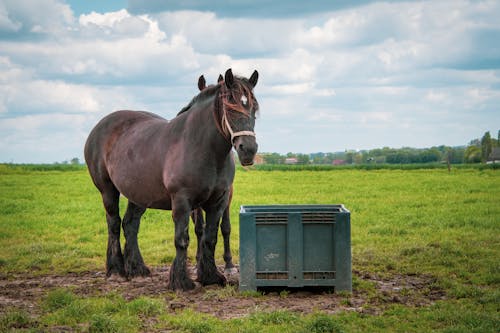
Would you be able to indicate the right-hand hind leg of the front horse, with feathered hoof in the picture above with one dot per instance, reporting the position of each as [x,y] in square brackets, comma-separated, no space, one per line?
[134,264]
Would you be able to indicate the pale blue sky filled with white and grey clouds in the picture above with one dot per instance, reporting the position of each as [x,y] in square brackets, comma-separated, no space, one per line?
[334,75]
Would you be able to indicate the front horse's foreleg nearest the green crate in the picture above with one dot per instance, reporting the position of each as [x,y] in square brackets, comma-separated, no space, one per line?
[207,270]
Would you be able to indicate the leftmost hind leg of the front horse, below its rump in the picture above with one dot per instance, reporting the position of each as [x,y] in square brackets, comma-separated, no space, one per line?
[114,257]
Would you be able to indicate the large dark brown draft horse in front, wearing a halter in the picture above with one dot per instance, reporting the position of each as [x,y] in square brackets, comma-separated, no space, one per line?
[178,165]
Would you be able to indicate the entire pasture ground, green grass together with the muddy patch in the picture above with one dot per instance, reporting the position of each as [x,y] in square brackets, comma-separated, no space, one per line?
[425,249]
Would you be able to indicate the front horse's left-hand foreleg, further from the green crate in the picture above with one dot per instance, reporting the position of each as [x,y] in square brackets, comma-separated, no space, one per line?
[179,278]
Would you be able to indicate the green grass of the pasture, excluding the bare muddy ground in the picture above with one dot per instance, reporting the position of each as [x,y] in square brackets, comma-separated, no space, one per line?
[404,222]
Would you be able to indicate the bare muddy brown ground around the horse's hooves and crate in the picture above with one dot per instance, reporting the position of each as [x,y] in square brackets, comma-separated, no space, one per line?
[25,292]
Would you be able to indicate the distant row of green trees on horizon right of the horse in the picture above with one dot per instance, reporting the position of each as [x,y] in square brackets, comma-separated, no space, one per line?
[476,151]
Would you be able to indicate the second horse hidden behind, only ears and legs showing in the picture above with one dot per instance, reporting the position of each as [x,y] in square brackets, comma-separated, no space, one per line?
[225,225]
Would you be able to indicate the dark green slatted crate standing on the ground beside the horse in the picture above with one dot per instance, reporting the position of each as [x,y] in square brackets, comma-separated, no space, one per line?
[295,246]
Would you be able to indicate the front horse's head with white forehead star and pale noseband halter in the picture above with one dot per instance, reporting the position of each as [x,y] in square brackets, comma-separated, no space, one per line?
[239,107]
